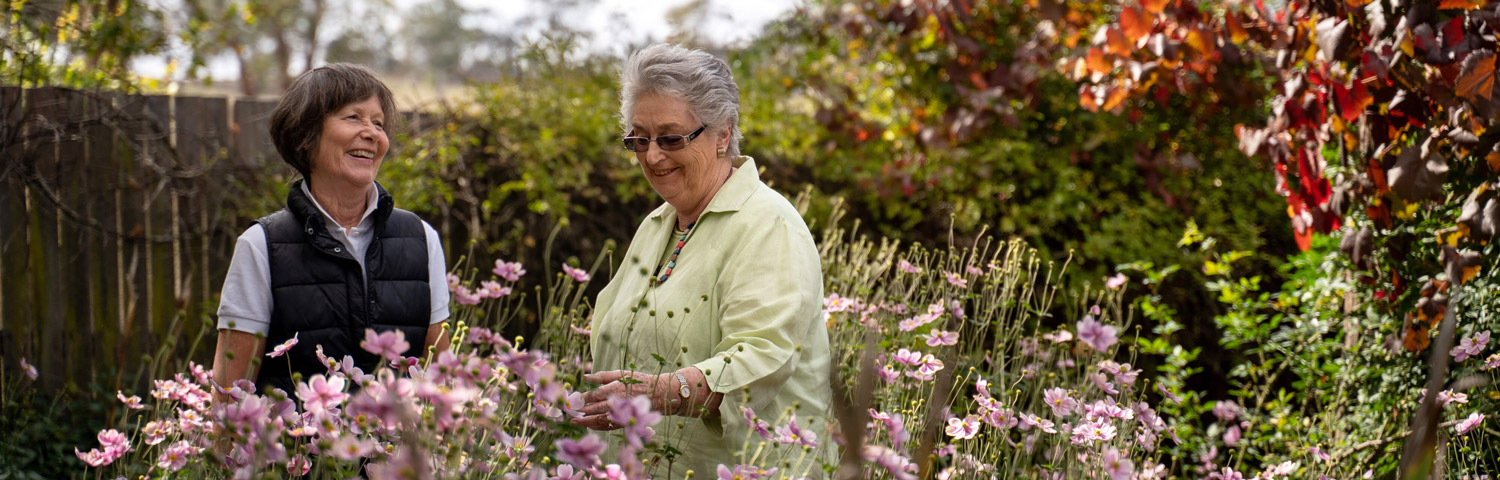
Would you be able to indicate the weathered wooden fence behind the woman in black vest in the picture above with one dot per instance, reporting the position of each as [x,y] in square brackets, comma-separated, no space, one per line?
[118,221]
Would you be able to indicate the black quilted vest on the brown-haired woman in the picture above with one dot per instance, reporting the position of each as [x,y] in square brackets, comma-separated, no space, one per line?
[319,292]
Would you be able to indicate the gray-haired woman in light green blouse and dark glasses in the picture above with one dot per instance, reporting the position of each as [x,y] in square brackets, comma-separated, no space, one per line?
[715,313]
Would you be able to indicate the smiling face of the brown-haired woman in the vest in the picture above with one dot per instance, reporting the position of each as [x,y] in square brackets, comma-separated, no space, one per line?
[352,146]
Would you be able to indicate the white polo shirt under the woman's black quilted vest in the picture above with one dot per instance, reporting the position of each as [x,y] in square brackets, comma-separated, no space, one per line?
[245,304]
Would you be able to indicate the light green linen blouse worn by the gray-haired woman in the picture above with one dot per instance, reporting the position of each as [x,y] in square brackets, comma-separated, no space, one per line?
[745,305]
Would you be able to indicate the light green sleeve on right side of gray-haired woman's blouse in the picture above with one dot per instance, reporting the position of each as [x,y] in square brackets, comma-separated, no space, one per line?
[772,295]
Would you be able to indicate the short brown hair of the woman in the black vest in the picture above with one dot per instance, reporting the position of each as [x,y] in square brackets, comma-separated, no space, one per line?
[298,122]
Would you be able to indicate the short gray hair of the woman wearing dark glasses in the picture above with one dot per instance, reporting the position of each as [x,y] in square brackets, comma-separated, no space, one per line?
[692,76]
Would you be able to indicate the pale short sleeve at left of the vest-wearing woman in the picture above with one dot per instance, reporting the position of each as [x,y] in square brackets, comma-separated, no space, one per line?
[245,304]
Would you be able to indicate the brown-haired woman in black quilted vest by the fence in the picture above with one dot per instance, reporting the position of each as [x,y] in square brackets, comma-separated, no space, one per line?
[341,259]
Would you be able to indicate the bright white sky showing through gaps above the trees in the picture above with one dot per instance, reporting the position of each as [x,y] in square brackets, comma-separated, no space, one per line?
[613,25]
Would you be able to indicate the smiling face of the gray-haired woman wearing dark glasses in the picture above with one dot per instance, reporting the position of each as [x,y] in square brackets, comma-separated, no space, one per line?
[688,179]
